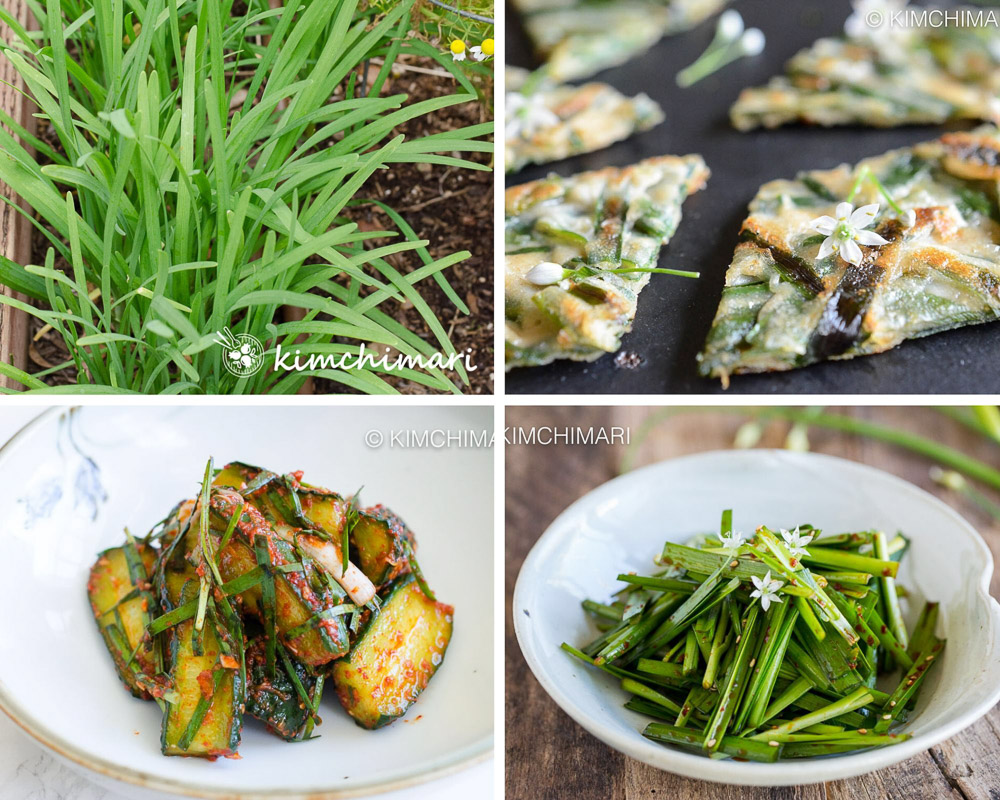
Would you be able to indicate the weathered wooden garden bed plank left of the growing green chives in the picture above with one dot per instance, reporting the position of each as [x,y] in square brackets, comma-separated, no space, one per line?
[15,230]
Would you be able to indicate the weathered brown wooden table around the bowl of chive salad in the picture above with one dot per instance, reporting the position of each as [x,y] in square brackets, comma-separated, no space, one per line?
[549,756]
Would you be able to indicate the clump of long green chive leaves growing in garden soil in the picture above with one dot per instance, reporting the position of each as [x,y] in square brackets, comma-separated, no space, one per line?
[200,161]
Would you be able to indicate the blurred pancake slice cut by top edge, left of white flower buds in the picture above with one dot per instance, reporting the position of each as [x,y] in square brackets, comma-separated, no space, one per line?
[578,38]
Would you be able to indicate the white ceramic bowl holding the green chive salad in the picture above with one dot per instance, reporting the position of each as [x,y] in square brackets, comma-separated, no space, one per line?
[619,526]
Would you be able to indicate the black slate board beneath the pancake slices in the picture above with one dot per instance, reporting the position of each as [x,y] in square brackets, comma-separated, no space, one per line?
[675,313]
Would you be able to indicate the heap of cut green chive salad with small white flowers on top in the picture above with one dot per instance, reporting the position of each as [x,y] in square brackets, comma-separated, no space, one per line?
[770,647]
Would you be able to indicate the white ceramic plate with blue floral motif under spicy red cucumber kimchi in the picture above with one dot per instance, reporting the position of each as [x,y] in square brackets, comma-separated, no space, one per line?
[68,490]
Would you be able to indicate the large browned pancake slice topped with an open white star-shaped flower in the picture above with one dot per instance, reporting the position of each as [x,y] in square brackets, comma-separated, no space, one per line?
[783,307]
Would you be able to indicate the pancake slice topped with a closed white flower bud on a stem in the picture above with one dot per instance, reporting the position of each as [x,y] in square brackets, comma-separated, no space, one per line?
[591,223]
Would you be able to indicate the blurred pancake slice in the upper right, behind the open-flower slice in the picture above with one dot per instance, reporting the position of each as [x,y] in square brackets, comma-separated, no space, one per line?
[935,75]
